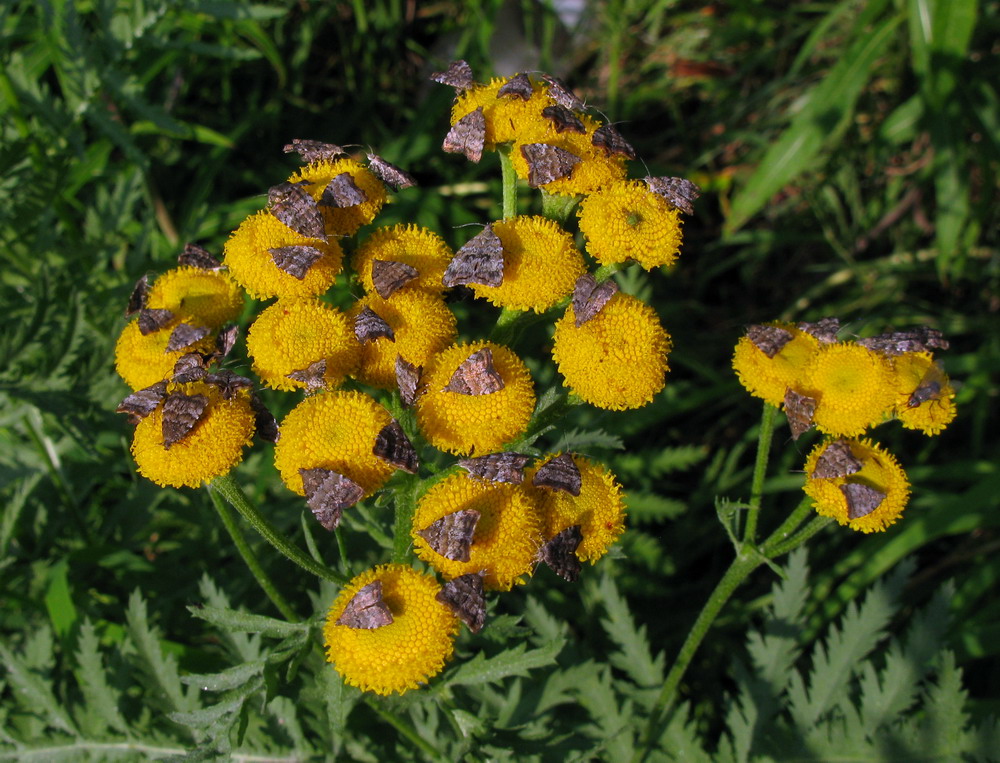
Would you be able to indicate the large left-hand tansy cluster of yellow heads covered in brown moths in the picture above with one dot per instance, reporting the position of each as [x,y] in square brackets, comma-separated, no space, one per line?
[385,387]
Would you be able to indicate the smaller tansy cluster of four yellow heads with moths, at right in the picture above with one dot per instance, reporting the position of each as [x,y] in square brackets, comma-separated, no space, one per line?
[845,389]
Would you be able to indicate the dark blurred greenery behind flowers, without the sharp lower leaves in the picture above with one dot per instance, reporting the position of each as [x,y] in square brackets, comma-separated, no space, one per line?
[848,155]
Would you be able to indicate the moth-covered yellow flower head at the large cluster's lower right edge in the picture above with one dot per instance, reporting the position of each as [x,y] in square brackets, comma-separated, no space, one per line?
[599,509]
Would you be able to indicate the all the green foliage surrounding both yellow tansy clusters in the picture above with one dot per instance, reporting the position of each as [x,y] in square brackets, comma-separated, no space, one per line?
[848,153]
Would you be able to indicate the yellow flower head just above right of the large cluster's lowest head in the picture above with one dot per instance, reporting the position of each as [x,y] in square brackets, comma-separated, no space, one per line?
[507,534]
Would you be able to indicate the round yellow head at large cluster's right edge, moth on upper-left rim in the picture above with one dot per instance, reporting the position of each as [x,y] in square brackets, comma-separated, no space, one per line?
[618,358]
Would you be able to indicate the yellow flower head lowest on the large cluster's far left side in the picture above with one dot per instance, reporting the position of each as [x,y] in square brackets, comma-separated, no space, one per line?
[213,447]
